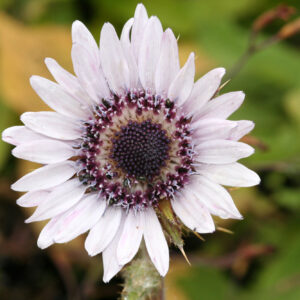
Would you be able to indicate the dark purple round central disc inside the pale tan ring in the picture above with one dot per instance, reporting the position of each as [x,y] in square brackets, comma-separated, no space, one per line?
[141,149]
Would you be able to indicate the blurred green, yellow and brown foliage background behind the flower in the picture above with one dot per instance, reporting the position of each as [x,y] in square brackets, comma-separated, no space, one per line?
[261,260]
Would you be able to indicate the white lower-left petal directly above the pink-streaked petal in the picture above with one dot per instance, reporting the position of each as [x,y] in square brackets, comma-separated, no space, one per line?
[59,200]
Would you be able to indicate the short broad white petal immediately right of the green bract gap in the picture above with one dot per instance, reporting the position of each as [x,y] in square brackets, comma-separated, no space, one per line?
[192,213]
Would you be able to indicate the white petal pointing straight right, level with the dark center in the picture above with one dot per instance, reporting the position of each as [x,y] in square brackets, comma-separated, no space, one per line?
[222,151]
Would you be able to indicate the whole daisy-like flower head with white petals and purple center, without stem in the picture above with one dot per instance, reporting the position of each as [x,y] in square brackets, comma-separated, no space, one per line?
[130,131]
